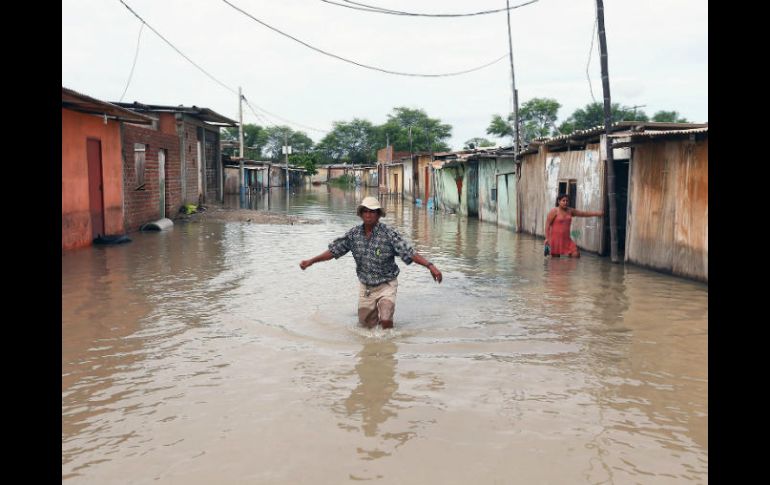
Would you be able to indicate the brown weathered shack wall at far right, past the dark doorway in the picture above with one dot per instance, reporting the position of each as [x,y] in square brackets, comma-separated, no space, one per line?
[668,207]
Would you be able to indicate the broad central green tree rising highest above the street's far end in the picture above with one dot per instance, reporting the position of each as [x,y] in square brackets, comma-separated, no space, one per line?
[427,134]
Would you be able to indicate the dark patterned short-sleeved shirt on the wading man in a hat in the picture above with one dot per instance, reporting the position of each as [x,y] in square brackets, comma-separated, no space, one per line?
[375,257]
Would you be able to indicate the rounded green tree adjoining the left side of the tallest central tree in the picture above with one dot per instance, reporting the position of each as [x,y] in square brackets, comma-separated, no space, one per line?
[353,141]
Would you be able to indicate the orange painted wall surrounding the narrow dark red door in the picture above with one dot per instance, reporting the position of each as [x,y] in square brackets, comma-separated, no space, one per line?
[76,213]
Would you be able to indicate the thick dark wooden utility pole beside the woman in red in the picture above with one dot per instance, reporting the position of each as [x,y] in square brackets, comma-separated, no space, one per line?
[612,198]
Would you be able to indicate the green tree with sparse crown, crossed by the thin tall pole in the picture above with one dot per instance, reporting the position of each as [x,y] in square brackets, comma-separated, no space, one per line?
[537,119]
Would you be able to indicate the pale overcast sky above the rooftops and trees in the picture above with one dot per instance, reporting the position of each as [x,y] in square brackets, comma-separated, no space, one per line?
[657,55]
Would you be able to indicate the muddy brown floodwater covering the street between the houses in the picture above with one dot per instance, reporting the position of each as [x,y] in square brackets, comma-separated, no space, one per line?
[205,355]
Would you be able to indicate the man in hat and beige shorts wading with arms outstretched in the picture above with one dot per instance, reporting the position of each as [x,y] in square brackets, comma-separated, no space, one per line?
[374,246]
